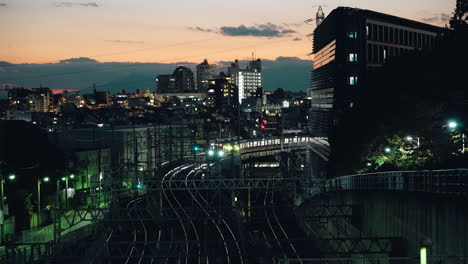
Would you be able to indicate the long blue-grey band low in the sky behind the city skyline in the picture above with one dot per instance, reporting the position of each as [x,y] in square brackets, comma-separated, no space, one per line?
[81,73]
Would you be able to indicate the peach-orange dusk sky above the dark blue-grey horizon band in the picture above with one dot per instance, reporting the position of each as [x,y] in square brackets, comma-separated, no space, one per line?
[45,31]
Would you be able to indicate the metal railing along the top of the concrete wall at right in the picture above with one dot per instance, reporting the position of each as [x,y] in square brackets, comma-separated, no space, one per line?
[454,182]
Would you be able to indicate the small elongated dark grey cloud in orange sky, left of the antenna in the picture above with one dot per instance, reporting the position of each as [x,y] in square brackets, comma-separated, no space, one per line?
[261,30]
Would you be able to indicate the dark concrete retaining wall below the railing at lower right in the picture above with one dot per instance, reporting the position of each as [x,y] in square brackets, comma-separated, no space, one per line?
[412,216]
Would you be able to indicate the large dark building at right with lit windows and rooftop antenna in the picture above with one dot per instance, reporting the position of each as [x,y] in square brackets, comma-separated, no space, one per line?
[348,46]
